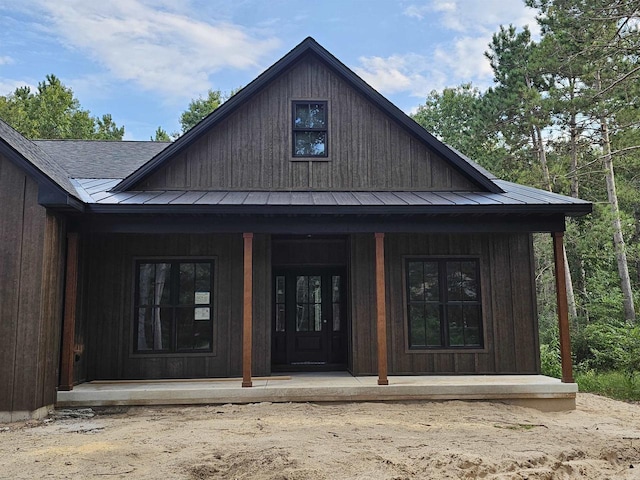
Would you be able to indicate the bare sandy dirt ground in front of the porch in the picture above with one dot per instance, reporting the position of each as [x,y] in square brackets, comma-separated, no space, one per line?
[601,439]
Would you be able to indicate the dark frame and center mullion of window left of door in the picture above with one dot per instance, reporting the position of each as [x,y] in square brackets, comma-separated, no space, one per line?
[213,308]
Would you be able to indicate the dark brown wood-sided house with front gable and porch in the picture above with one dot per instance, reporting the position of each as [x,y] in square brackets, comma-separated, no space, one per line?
[307,224]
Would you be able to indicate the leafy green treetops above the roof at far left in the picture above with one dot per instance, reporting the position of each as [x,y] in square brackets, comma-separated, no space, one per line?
[52,112]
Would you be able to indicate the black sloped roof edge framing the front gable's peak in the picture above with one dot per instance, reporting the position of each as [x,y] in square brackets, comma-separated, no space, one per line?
[469,169]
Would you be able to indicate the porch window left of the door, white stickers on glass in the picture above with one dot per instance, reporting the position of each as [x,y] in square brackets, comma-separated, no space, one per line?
[173,306]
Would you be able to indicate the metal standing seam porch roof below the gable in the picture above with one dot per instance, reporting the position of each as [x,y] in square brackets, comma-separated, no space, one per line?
[97,193]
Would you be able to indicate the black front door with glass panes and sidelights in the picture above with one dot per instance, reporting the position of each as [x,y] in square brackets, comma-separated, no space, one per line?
[309,319]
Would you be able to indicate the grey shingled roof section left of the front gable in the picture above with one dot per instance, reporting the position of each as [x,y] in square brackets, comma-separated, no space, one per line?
[100,158]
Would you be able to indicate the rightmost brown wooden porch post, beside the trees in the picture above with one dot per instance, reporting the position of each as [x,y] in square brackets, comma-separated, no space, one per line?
[563,309]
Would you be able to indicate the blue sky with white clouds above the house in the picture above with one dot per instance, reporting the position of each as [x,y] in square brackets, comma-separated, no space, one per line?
[142,61]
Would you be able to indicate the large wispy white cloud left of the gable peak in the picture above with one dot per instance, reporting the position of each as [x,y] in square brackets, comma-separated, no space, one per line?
[158,44]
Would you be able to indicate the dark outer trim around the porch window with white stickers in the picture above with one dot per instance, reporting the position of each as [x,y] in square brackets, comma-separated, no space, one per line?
[137,260]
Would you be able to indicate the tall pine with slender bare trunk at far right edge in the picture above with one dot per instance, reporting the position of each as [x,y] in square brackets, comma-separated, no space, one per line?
[601,41]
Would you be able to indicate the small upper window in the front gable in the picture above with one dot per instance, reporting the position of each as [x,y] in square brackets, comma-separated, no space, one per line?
[309,129]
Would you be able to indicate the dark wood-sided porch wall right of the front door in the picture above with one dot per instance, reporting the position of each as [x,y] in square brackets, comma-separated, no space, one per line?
[508,305]
